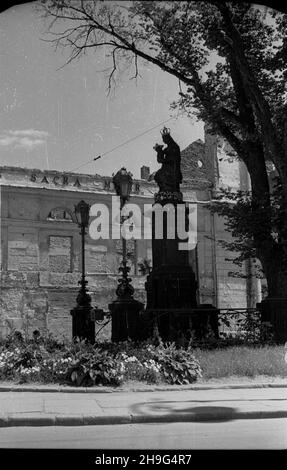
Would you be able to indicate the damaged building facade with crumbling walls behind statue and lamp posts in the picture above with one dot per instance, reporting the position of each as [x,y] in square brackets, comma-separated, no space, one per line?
[40,253]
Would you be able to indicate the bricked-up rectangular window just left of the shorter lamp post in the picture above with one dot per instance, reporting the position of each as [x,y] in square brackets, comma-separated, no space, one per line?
[60,254]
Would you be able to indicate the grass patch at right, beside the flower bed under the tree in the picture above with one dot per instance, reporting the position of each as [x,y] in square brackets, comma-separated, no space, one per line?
[242,361]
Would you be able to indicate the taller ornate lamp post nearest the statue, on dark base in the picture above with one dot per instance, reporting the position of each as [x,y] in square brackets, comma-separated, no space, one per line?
[125,310]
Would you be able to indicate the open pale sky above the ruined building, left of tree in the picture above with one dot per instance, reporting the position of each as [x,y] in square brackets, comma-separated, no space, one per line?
[60,118]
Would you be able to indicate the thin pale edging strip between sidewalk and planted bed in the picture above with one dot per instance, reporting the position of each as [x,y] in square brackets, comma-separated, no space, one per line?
[63,389]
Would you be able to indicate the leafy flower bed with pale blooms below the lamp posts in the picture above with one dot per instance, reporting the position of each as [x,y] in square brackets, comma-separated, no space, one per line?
[45,360]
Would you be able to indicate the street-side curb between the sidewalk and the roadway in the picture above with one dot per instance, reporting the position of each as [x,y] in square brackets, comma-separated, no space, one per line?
[80,420]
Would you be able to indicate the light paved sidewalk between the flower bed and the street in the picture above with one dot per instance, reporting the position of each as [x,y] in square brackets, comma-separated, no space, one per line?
[45,406]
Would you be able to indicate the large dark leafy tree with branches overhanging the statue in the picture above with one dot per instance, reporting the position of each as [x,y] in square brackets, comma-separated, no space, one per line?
[230,60]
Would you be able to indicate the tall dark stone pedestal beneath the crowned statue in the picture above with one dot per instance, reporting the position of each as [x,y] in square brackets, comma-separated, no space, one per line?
[171,283]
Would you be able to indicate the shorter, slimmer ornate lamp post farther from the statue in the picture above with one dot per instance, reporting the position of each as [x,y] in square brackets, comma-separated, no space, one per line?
[83,327]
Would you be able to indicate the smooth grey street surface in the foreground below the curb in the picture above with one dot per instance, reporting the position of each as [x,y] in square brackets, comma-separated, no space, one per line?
[233,434]
